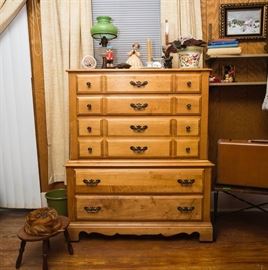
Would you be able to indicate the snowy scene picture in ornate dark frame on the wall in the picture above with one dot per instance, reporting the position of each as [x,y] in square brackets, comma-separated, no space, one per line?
[244,21]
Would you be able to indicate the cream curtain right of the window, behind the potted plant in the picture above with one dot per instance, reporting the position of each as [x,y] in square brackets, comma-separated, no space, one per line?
[184,19]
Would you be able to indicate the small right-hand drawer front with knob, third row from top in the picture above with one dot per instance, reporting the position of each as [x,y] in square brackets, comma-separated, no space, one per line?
[188,126]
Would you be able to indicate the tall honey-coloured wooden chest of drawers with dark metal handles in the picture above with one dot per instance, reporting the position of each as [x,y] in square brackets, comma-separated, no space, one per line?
[138,152]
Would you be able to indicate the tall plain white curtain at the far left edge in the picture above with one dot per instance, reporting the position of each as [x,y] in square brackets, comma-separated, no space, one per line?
[19,176]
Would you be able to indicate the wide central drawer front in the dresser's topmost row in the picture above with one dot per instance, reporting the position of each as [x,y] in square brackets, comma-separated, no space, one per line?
[145,83]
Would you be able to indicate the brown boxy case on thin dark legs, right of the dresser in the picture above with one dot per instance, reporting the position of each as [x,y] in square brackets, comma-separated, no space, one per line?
[243,163]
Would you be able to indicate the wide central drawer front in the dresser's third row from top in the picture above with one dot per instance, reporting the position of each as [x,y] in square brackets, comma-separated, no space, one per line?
[143,126]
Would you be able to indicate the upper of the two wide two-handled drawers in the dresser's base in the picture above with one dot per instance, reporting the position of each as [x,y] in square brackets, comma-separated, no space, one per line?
[140,181]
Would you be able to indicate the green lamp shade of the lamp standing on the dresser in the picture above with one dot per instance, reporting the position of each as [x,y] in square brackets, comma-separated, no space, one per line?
[103,28]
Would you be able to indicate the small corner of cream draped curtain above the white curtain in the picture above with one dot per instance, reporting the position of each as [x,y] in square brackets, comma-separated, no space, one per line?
[8,11]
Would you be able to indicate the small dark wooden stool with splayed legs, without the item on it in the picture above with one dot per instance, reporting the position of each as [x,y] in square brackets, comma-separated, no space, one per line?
[24,237]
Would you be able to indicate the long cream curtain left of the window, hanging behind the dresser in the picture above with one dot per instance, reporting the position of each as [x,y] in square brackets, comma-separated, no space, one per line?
[66,40]
